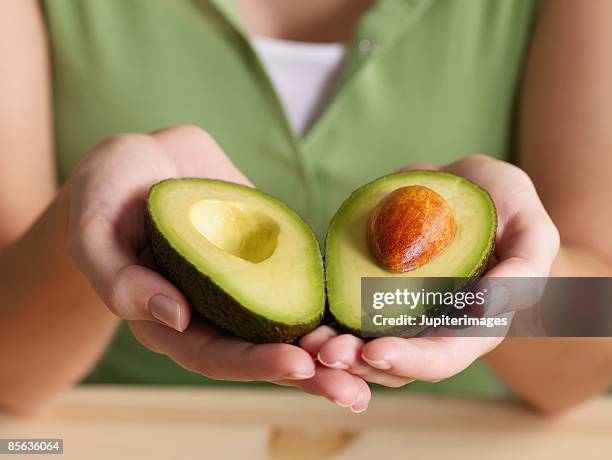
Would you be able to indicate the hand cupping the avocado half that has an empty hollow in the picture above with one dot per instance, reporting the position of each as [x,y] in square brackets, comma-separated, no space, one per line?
[107,242]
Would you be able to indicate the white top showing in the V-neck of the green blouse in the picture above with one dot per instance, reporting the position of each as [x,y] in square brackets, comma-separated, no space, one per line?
[303,75]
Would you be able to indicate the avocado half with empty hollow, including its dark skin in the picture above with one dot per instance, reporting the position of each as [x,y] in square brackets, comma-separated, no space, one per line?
[243,259]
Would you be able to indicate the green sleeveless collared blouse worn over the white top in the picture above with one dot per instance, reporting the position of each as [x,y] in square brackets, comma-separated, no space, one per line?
[425,81]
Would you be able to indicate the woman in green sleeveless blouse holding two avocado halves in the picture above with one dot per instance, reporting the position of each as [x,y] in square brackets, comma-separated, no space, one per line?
[402,82]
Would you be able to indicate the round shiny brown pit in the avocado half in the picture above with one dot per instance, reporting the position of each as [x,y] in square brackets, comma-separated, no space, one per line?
[409,227]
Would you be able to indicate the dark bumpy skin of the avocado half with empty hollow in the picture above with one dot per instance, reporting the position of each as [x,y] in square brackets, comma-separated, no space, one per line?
[212,302]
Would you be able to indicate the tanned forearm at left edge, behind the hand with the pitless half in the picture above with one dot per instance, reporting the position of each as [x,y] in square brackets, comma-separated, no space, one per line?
[52,326]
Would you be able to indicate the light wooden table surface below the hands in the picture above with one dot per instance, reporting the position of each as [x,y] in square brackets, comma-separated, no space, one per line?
[207,423]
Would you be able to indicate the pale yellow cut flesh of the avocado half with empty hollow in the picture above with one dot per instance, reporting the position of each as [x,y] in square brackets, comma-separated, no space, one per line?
[252,246]
